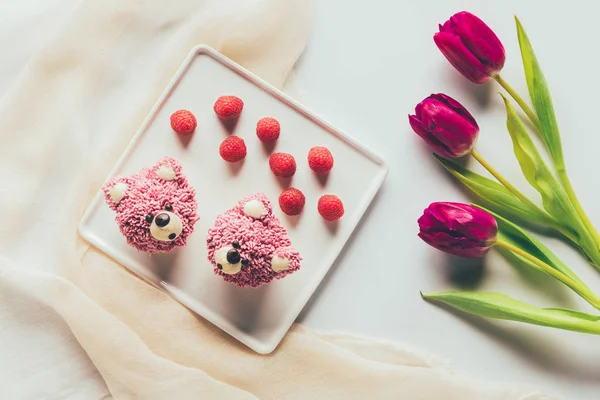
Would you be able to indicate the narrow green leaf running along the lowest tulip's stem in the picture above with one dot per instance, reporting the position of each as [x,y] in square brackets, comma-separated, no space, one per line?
[518,237]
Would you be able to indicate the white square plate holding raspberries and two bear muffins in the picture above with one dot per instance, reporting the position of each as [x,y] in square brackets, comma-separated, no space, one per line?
[258,317]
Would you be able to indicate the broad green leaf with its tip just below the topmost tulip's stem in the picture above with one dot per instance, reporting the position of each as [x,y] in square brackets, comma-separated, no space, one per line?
[535,169]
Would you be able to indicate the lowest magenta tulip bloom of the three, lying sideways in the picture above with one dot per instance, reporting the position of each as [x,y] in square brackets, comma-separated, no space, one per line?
[458,229]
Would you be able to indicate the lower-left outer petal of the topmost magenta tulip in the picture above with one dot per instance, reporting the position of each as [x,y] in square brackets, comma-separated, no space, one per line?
[461,57]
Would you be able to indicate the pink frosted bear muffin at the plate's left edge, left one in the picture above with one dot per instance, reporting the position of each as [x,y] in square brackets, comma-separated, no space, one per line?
[156,207]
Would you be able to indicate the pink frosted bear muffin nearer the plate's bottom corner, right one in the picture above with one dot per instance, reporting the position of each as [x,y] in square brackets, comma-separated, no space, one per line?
[248,246]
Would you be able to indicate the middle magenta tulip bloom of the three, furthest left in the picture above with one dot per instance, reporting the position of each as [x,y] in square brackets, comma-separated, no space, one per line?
[445,125]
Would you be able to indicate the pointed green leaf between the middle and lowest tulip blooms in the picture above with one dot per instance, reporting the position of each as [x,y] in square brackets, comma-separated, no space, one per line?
[495,194]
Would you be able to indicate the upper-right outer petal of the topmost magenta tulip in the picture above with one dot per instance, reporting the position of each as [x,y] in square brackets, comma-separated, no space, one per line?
[480,40]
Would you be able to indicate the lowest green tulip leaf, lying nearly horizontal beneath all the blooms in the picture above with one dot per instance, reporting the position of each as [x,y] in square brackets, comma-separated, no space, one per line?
[500,306]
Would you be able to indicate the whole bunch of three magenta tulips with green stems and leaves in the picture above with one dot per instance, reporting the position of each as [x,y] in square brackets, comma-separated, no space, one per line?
[471,230]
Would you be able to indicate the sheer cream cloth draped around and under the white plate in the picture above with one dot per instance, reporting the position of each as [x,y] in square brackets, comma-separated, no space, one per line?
[62,128]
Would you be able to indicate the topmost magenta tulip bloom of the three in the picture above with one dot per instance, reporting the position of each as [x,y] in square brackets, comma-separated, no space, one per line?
[471,47]
